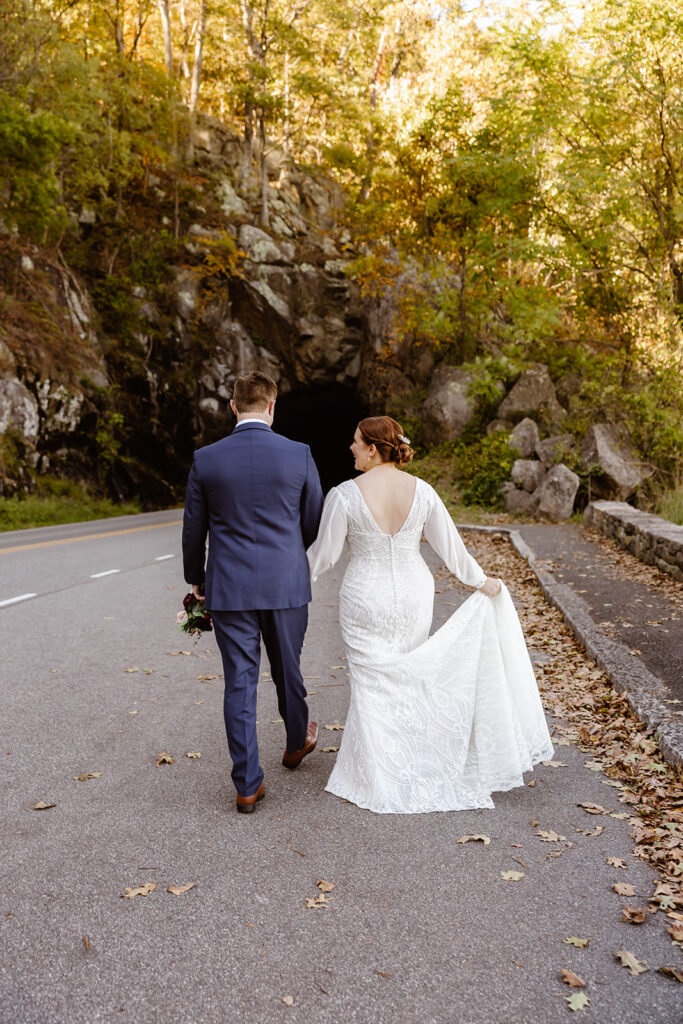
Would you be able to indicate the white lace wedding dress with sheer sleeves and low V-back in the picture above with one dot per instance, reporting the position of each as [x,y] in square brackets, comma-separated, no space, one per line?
[435,723]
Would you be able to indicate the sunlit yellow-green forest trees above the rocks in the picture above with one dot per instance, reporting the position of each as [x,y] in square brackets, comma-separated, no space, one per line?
[519,165]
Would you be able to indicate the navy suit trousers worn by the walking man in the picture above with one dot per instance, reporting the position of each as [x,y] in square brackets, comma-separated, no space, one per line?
[239,637]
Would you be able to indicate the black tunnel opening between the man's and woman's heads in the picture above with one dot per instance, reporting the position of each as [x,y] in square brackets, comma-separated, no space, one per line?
[324,417]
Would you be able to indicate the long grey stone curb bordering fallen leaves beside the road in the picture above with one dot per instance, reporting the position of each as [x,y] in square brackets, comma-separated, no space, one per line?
[645,692]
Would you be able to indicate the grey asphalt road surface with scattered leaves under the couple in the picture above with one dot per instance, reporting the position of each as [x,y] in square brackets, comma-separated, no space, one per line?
[419,928]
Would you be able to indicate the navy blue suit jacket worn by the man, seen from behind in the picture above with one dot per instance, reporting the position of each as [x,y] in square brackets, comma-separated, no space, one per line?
[259,497]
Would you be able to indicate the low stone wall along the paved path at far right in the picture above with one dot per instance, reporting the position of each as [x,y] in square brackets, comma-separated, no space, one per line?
[655,541]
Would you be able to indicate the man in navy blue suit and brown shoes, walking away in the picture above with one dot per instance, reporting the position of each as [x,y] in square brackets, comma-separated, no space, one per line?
[259,497]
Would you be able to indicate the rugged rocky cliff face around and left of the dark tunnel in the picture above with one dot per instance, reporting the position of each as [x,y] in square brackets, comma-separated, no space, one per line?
[118,370]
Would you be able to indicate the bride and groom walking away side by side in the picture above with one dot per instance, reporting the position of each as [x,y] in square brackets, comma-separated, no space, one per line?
[435,722]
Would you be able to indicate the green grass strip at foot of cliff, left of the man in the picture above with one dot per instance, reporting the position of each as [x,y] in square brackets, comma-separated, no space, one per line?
[58,502]
